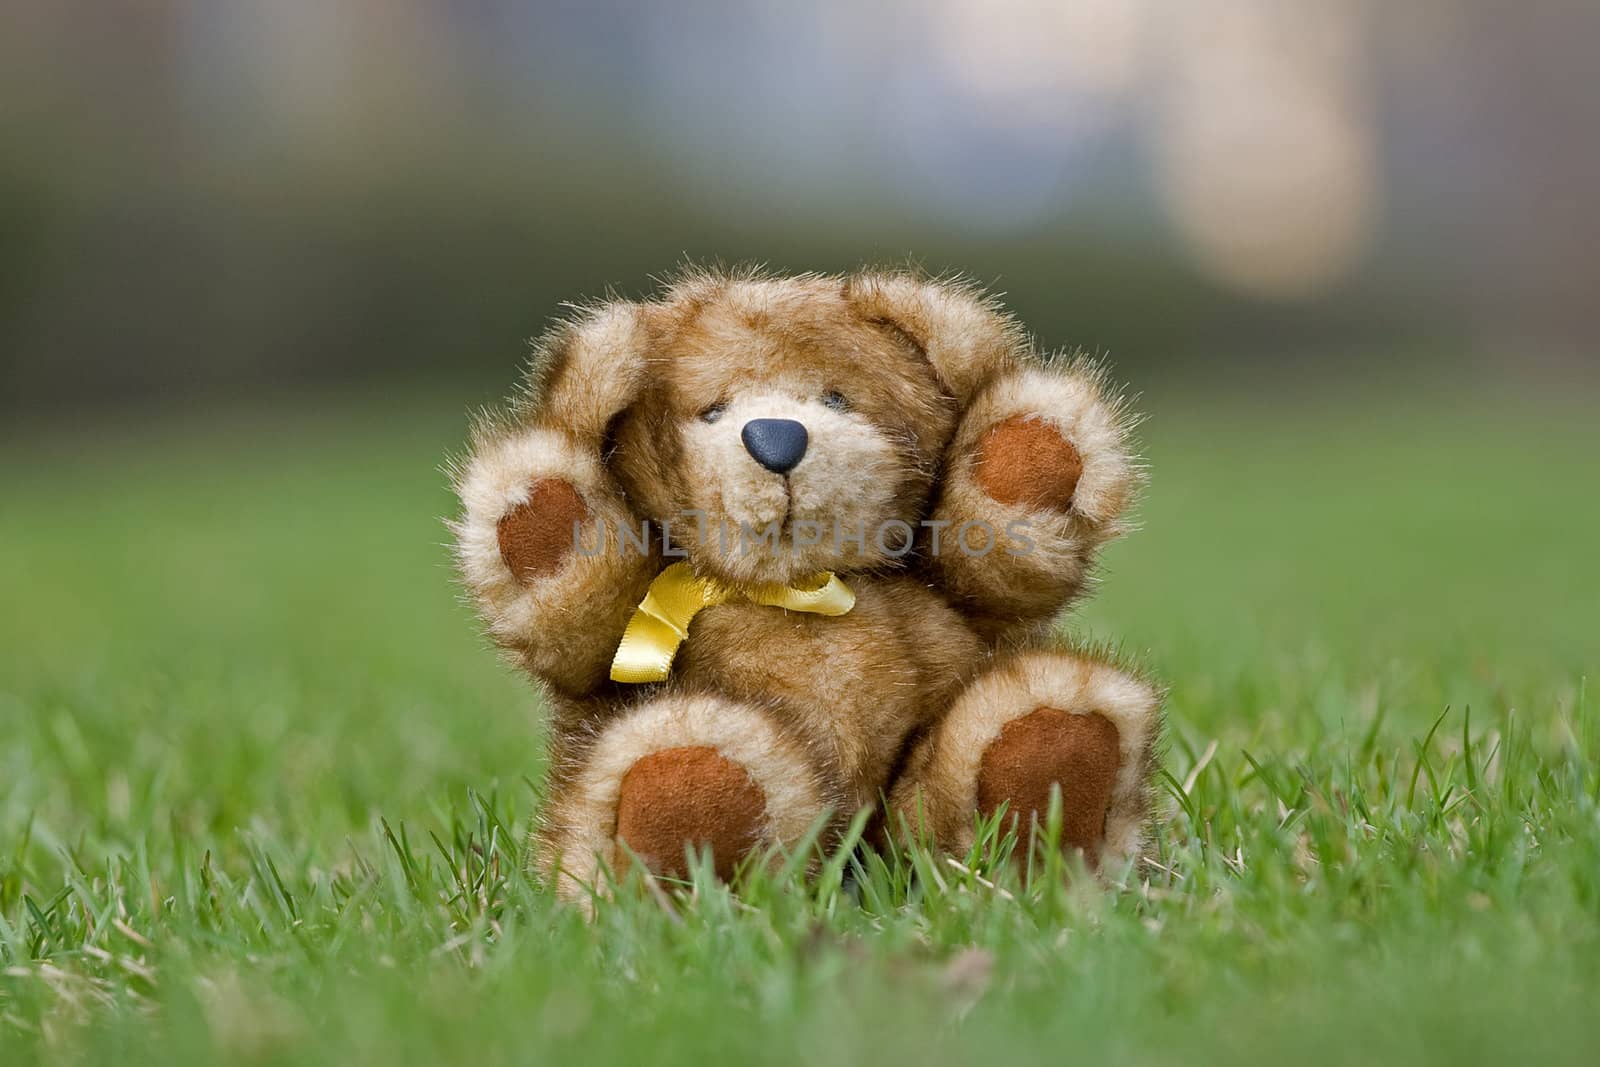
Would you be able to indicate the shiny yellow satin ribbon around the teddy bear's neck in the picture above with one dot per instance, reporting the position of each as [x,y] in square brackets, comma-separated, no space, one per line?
[663,618]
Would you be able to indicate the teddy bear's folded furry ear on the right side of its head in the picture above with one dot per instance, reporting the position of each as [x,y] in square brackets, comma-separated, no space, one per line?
[967,337]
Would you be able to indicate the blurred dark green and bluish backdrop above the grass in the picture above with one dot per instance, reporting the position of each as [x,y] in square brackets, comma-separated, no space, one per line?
[210,198]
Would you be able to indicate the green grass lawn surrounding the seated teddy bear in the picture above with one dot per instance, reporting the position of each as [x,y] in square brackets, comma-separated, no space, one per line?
[263,791]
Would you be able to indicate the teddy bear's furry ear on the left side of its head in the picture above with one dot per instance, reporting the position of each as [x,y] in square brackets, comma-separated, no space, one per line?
[586,370]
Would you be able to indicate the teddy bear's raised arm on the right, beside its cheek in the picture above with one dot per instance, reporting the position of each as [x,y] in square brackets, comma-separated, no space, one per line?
[1038,478]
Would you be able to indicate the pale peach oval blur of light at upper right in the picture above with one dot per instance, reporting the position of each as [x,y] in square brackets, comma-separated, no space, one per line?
[1263,138]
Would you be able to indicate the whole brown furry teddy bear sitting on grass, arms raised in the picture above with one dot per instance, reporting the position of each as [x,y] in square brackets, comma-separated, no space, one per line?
[790,546]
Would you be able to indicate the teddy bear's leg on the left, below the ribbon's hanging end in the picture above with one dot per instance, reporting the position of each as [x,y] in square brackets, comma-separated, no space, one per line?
[679,773]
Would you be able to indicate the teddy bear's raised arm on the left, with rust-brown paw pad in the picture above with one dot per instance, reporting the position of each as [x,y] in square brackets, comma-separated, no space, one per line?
[551,553]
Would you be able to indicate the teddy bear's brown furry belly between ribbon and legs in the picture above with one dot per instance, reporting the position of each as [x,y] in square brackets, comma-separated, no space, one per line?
[857,685]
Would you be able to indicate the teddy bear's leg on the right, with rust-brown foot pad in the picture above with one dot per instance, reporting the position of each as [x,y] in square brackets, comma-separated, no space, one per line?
[1039,722]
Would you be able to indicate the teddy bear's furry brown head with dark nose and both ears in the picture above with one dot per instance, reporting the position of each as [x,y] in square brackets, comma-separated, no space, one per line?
[775,428]
